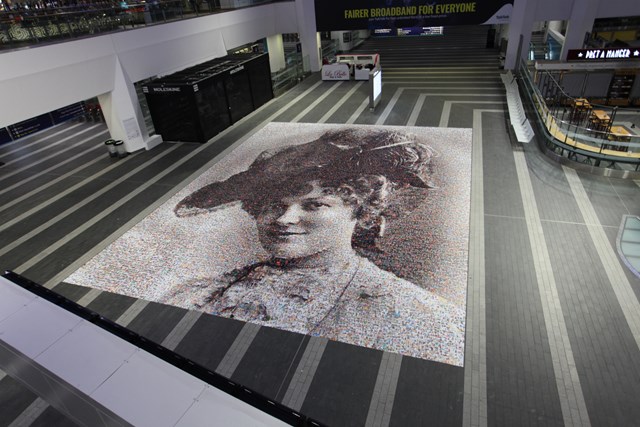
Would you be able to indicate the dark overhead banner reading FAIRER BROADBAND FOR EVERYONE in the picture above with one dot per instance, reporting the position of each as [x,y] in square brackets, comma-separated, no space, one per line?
[332,15]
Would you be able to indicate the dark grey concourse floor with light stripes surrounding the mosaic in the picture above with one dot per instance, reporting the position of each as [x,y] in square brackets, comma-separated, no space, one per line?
[553,319]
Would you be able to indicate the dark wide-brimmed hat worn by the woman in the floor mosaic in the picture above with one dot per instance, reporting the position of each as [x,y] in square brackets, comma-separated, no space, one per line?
[337,156]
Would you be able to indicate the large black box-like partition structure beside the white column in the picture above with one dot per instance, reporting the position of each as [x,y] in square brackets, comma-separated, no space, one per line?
[197,103]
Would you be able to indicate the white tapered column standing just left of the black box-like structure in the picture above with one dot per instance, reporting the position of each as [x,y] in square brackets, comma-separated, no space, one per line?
[123,115]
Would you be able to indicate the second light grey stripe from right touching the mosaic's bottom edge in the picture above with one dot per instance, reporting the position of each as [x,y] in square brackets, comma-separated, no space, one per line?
[303,376]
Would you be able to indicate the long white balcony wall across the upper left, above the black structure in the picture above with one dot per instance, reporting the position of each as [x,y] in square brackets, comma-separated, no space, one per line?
[40,79]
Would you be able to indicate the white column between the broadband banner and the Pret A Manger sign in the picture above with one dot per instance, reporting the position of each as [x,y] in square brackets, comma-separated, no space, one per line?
[521,22]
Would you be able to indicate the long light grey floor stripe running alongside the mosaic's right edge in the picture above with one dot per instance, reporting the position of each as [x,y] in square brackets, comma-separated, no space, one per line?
[474,410]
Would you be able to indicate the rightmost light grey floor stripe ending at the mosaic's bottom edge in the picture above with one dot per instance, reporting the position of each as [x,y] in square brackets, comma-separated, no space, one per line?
[384,392]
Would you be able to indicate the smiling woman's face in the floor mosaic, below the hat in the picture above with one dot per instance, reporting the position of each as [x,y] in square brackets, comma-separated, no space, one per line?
[305,225]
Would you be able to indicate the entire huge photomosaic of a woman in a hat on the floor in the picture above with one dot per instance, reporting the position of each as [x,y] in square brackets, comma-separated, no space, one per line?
[355,233]
